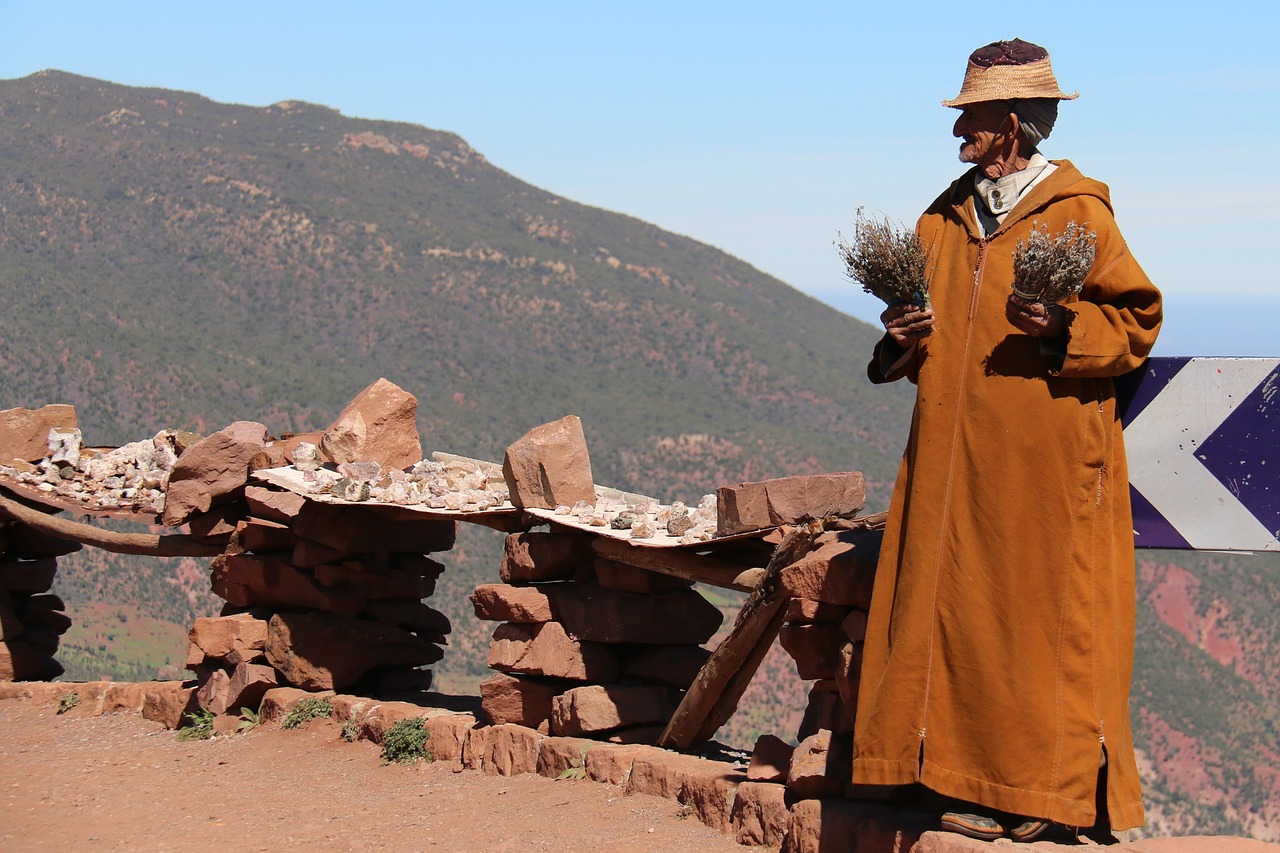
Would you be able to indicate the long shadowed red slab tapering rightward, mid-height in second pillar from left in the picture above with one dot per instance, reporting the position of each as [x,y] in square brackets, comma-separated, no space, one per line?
[246,581]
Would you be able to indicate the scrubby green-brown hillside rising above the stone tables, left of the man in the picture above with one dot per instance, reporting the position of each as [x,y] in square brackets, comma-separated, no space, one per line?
[204,262]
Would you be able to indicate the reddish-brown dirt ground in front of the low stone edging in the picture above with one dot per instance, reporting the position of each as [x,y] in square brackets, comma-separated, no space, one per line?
[121,783]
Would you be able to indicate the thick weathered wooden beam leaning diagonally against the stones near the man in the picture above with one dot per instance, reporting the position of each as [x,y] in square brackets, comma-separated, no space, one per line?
[715,695]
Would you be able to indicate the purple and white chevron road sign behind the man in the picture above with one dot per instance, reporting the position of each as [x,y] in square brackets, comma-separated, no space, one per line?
[1203,437]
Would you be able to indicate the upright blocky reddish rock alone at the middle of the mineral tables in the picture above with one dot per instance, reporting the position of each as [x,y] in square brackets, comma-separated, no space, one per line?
[550,467]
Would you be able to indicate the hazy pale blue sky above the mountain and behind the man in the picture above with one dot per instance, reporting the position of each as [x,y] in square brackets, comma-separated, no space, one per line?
[761,127]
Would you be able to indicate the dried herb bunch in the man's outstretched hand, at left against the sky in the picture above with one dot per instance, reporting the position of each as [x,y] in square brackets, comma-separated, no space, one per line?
[889,262]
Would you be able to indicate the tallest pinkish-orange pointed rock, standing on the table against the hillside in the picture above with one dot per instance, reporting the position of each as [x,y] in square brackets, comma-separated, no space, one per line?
[380,426]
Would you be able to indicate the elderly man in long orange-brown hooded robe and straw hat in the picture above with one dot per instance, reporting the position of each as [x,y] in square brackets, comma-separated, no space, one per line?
[1000,644]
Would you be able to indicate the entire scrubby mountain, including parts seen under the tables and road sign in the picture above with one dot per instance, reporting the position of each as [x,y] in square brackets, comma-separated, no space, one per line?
[172,262]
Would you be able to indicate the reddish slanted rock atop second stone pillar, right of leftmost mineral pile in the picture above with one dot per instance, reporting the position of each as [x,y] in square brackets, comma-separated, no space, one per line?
[212,471]
